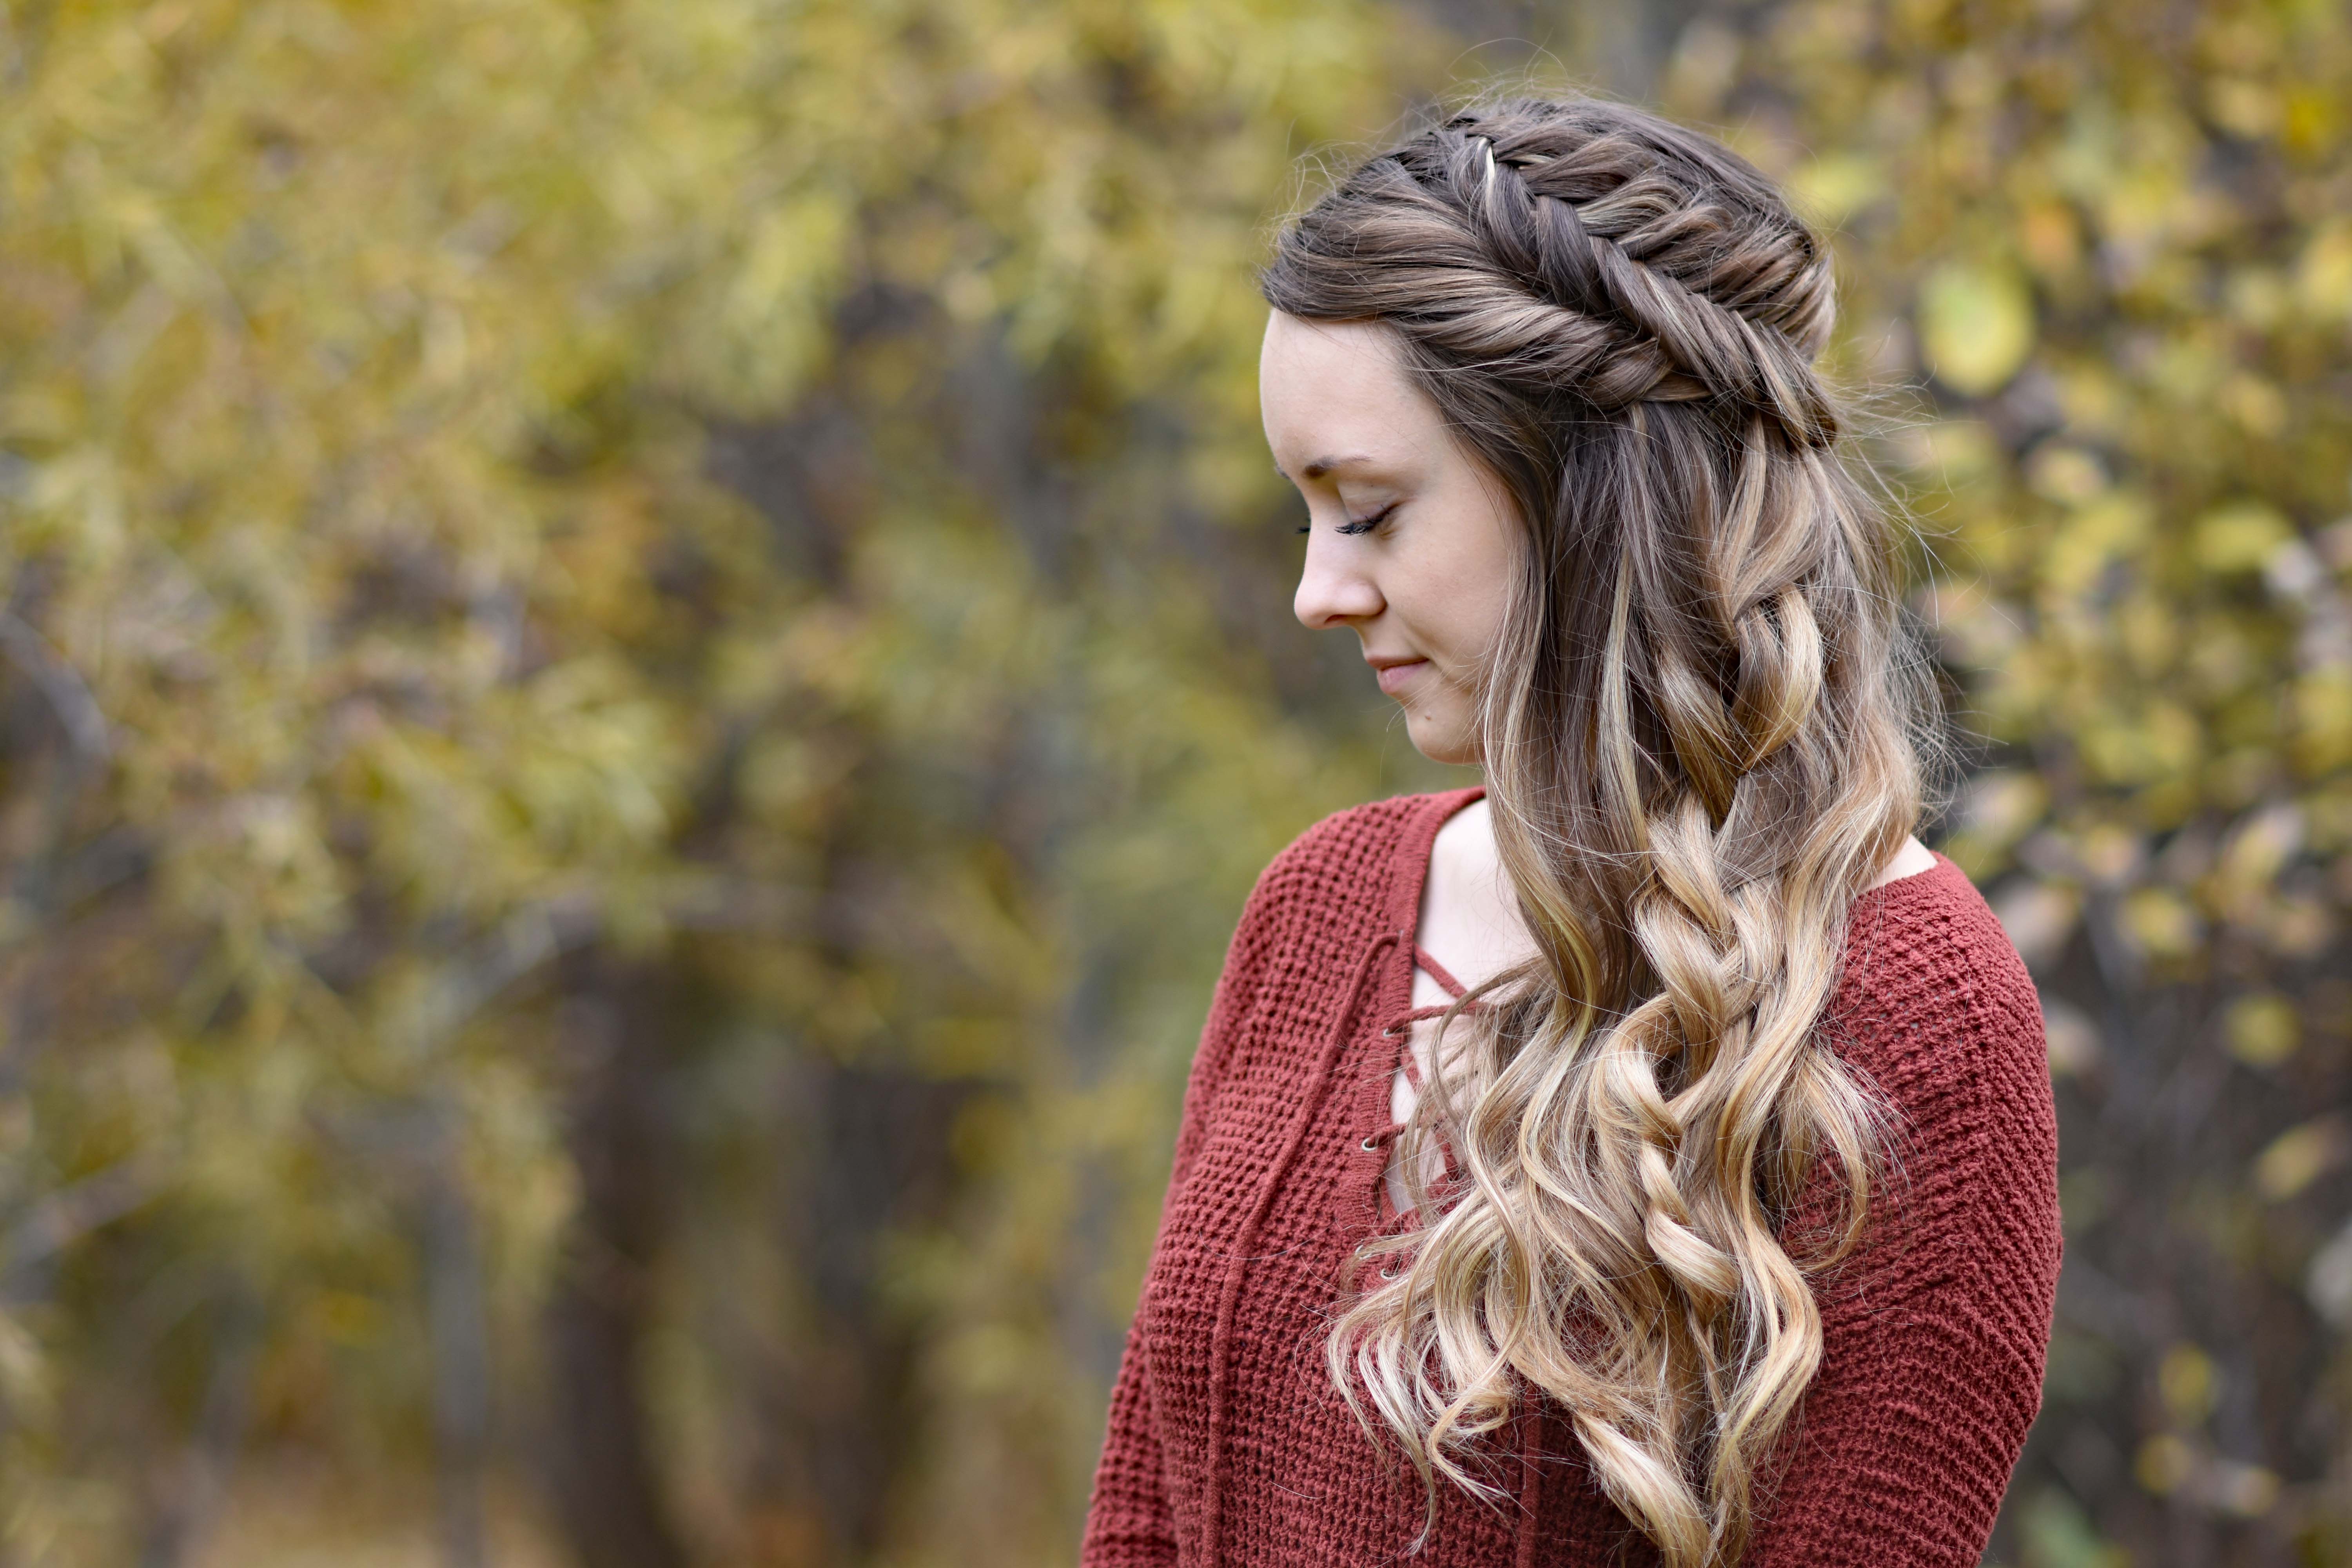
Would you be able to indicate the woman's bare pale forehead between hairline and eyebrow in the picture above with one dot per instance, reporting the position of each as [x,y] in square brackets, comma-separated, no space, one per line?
[1339,389]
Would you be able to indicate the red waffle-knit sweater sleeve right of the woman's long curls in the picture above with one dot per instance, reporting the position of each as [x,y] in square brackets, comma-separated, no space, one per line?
[1937,1329]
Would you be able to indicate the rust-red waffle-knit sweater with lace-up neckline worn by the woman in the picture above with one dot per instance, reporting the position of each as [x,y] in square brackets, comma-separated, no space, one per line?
[1229,1442]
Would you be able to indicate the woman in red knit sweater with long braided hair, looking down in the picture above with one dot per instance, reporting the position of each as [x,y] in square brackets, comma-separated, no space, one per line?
[1709,1217]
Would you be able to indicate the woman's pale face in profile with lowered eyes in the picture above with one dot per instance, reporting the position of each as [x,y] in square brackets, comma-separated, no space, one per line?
[1410,544]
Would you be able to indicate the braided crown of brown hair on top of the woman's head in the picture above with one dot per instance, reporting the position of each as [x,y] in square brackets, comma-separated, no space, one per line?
[1565,253]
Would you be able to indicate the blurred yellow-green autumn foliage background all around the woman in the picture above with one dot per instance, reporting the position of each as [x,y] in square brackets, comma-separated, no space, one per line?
[646,655]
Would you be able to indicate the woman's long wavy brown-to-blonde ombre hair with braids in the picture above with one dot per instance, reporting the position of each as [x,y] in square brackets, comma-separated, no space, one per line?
[1699,739]
